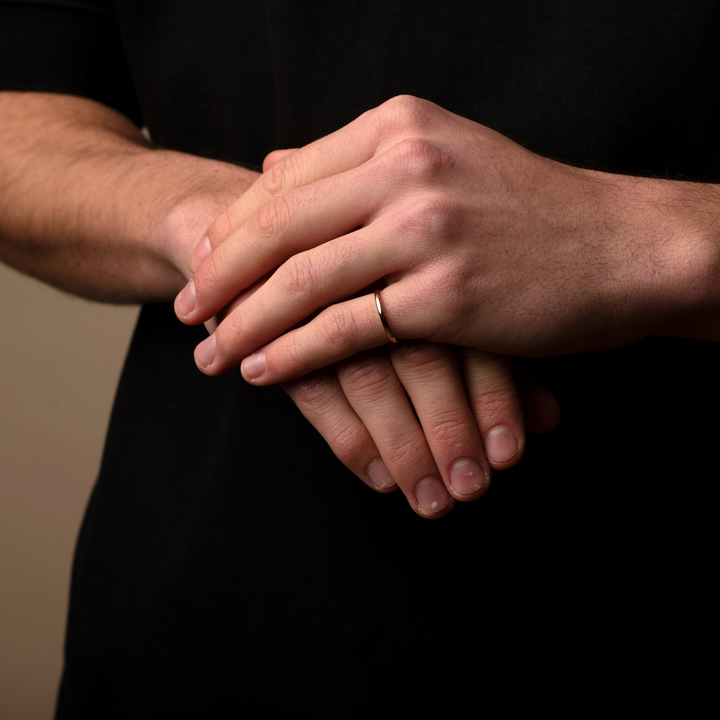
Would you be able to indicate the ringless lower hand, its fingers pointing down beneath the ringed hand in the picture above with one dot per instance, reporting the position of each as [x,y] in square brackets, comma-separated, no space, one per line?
[465,418]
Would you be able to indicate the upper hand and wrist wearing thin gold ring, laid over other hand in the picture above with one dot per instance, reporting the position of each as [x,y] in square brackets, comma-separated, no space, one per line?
[483,244]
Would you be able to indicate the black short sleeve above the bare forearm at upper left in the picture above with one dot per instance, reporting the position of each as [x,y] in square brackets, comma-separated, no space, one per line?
[66,46]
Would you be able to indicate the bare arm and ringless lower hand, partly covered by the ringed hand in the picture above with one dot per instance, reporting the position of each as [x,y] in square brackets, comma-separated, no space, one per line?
[89,206]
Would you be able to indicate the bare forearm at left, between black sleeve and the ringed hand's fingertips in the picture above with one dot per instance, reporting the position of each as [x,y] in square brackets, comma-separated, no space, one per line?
[88,206]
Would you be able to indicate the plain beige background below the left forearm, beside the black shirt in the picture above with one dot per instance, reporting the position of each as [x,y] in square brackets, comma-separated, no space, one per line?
[60,359]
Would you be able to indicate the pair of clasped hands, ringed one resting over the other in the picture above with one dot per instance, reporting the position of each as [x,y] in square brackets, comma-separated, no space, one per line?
[481,244]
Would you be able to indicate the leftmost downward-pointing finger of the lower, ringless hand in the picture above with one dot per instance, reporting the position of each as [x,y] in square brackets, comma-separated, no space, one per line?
[321,399]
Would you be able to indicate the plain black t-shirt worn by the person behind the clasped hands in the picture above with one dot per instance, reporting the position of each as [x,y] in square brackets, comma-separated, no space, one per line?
[228,562]
